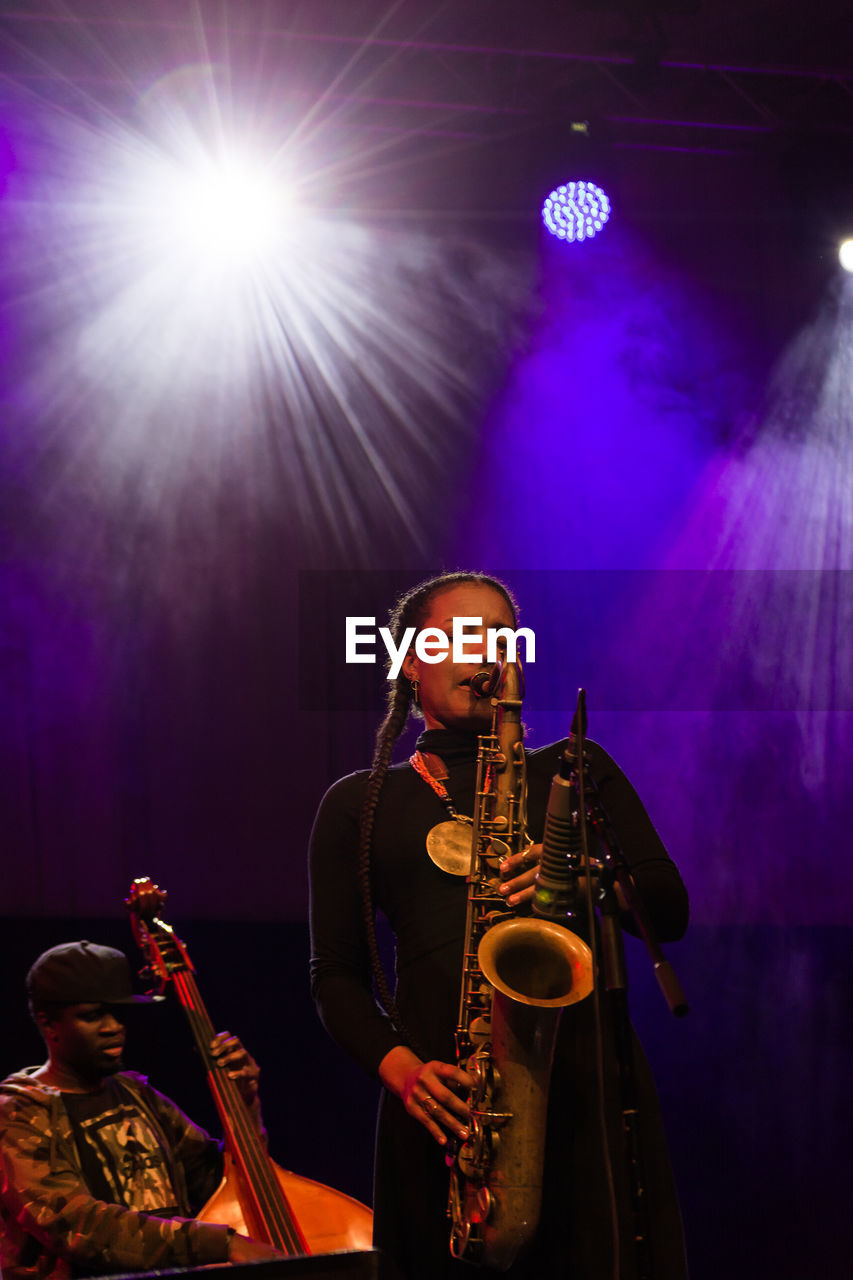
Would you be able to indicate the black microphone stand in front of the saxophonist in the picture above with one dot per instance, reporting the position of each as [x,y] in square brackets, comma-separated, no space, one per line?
[615,874]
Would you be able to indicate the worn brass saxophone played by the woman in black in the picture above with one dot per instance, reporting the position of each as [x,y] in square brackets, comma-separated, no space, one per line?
[518,975]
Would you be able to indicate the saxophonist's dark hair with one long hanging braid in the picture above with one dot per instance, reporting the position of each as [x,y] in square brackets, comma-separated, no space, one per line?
[410,611]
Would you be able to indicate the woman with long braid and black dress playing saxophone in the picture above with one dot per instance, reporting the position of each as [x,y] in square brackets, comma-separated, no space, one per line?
[393,840]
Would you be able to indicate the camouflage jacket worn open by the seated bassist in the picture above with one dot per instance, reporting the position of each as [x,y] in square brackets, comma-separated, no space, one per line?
[53,1228]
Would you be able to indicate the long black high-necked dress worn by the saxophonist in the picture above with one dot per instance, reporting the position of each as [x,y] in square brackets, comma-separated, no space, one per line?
[426,909]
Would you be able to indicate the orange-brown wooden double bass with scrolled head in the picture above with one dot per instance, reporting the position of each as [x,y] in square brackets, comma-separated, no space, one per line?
[257,1197]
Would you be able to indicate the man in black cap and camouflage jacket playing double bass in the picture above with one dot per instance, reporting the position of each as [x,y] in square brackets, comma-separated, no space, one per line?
[99,1173]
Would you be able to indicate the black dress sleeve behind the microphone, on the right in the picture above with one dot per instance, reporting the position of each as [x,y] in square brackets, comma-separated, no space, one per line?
[654,871]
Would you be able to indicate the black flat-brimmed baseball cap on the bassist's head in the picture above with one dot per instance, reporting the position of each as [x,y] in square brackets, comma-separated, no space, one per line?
[76,973]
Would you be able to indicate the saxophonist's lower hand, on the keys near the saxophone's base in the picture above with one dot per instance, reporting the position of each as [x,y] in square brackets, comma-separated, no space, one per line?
[430,1091]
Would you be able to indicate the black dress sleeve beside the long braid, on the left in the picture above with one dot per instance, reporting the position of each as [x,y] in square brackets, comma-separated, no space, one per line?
[341,980]
